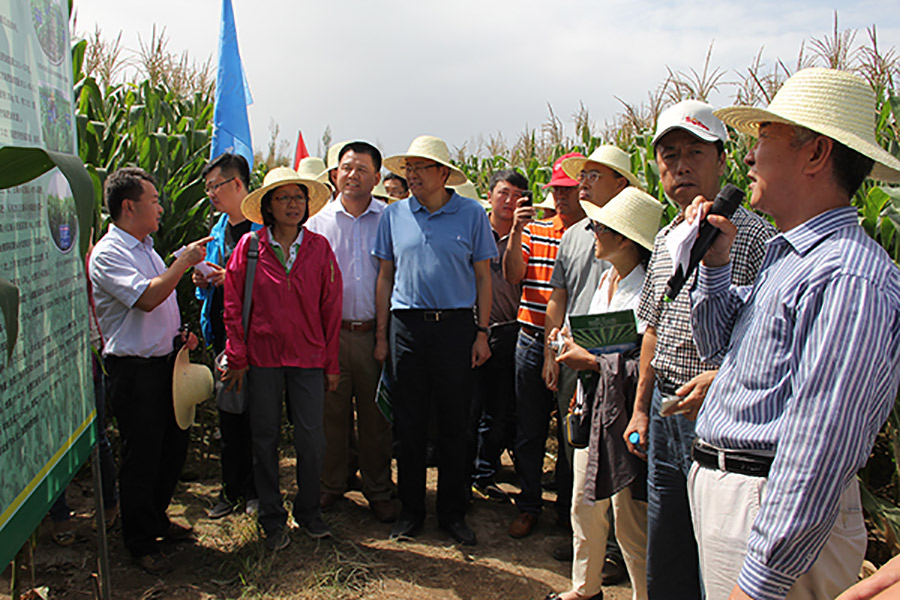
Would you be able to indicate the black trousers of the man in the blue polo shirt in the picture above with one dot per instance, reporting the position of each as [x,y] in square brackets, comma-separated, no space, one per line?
[432,364]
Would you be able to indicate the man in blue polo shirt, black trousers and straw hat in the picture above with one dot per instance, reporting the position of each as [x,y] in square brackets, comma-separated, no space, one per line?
[433,303]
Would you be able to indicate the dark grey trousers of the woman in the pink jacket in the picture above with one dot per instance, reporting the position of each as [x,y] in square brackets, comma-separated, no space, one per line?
[304,392]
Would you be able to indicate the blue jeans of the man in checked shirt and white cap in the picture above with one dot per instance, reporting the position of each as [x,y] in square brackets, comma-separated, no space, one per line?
[673,566]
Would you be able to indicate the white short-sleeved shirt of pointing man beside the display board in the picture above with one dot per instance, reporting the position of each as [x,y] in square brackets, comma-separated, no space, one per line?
[121,268]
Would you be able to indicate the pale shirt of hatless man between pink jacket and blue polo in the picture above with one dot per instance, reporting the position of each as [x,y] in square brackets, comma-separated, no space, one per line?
[351,240]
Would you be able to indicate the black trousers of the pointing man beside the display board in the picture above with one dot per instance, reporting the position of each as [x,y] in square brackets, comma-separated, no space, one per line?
[153,446]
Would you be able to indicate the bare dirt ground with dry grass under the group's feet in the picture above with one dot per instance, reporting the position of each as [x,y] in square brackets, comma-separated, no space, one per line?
[228,560]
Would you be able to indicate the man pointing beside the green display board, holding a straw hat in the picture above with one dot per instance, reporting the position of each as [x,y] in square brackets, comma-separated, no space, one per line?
[138,311]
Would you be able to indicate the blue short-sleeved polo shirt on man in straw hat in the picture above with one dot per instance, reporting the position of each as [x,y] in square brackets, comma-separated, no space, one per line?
[434,253]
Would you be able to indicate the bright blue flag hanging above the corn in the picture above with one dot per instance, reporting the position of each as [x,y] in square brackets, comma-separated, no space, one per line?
[231,128]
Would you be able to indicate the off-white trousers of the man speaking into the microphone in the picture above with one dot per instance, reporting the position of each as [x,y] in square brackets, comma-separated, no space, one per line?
[724,507]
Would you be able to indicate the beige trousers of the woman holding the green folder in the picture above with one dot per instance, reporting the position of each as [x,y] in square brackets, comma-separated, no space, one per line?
[590,528]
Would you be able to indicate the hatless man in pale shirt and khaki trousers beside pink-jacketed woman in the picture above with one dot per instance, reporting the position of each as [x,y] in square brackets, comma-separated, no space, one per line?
[349,224]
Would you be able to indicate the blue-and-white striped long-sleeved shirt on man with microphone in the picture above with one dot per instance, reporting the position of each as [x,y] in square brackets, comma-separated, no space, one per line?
[810,372]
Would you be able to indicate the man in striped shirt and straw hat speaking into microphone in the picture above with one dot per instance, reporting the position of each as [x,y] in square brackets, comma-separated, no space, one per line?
[811,352]
